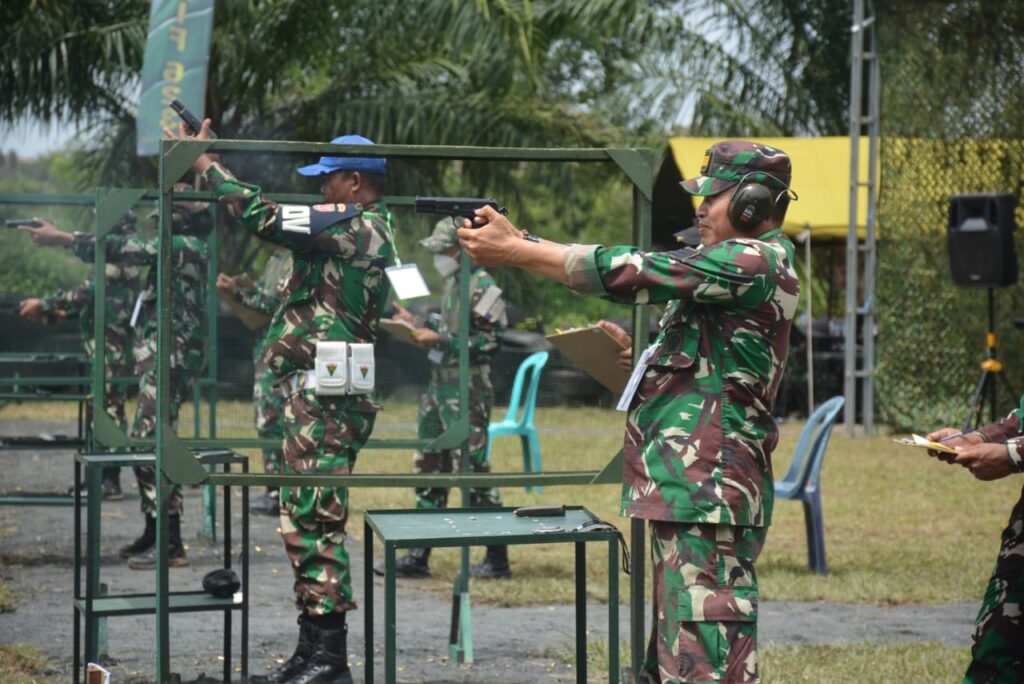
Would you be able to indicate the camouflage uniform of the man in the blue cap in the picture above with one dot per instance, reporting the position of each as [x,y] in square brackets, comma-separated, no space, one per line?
[336,292]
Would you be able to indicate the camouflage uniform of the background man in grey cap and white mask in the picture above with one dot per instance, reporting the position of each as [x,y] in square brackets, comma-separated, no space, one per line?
[440,406]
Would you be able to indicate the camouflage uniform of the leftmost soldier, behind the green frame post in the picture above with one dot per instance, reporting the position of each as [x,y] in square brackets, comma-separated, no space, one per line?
[122,286]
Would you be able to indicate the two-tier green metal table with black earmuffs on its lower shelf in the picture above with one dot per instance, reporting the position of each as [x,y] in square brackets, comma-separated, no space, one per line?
[95,608]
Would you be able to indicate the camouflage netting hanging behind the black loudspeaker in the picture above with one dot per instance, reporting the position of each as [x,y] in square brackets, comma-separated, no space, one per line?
[952,124]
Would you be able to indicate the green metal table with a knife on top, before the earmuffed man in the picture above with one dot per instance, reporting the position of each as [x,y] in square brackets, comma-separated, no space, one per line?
[470,527]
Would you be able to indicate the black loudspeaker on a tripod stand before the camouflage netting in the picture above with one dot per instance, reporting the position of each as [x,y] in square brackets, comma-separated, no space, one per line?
[982,240]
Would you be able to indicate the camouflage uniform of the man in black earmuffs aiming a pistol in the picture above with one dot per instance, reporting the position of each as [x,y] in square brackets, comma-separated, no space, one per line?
[700,433]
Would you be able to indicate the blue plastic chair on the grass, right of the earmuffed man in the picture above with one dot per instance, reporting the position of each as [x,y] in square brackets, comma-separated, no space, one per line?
[801,483]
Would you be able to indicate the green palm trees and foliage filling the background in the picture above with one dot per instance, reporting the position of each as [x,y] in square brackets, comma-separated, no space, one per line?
[603,73]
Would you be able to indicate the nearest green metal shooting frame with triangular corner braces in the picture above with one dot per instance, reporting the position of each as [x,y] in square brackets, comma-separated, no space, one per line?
[176,462]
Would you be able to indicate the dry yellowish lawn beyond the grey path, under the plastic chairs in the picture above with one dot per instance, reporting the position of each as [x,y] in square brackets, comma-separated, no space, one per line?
[901,528]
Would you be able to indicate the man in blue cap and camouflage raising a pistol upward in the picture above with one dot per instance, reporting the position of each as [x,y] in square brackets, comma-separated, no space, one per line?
[336,293]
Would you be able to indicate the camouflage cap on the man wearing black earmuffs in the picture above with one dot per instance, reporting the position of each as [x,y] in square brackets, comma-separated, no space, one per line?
[728,162]
